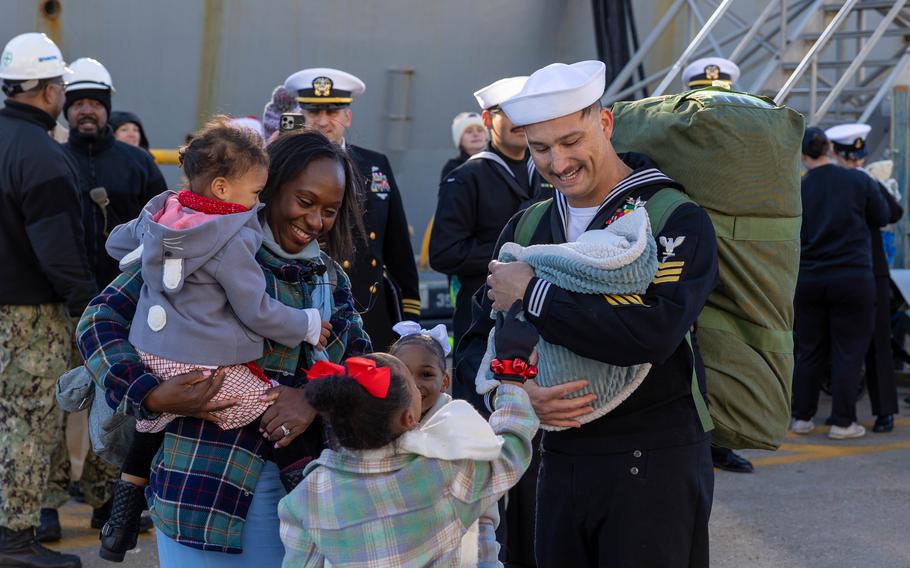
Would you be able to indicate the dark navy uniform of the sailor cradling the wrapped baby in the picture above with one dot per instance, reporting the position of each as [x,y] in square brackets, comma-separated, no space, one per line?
[610,482]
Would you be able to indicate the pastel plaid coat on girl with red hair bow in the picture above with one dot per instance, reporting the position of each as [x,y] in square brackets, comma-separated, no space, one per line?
[382,508]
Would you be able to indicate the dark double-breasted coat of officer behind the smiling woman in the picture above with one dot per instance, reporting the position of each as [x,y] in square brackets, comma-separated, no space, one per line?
[383,272]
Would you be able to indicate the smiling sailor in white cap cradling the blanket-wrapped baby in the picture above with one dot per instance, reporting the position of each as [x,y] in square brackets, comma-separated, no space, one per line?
[641,477]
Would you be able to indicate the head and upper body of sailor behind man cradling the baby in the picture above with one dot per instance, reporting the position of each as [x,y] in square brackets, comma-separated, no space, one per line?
[475,202]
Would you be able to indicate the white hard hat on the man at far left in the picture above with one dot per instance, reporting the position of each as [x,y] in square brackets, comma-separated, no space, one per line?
[31,56]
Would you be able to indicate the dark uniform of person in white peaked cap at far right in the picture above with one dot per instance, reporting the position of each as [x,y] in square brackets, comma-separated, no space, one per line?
[879,359]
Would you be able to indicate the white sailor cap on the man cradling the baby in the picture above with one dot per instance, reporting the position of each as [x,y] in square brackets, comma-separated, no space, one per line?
[557,90]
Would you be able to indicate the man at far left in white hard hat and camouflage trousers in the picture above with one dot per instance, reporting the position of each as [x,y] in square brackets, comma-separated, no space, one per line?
[44,281]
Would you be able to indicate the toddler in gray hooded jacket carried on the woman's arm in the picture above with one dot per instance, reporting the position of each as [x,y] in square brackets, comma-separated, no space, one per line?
[203,302]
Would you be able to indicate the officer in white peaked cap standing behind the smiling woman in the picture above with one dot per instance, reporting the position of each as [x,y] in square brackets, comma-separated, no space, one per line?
[383,271]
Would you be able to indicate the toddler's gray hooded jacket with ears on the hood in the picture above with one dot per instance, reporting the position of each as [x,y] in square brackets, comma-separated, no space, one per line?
[203,300]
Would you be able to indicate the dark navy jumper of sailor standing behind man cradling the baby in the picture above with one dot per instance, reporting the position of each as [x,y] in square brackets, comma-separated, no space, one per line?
[475,202]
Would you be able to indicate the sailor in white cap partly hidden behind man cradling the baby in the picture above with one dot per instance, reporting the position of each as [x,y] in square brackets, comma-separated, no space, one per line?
[475,202]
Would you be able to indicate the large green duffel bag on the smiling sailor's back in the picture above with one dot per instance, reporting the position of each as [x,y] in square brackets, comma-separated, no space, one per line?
[737,155]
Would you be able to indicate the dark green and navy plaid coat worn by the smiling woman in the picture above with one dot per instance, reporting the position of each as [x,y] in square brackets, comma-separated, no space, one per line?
[202,479]
